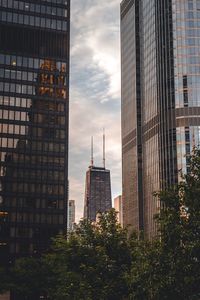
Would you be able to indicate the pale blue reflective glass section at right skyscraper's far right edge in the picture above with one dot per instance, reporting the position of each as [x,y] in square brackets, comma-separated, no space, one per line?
[186,23]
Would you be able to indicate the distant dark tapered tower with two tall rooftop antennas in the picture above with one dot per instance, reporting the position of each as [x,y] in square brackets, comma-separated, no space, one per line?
[97,189]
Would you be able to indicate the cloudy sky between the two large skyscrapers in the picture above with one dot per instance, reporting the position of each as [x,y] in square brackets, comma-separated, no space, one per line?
[94,93]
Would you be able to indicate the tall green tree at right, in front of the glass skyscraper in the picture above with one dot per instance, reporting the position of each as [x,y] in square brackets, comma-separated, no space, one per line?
[169,266]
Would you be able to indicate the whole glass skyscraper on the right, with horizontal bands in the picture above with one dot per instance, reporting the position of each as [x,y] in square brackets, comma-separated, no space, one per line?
[160,100]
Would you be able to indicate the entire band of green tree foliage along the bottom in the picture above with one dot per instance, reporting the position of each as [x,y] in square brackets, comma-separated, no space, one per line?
[100,262]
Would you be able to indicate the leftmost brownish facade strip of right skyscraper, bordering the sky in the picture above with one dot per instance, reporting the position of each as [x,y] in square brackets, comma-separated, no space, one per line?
[130,70]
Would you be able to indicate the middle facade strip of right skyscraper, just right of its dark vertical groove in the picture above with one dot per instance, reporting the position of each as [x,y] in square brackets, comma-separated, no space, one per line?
[150,108]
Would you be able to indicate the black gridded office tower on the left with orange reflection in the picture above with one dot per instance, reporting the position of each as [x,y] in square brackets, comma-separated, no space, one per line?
[34,94]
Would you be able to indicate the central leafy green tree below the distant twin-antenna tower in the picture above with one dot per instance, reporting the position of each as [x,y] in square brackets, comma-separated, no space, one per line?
[92,263]
